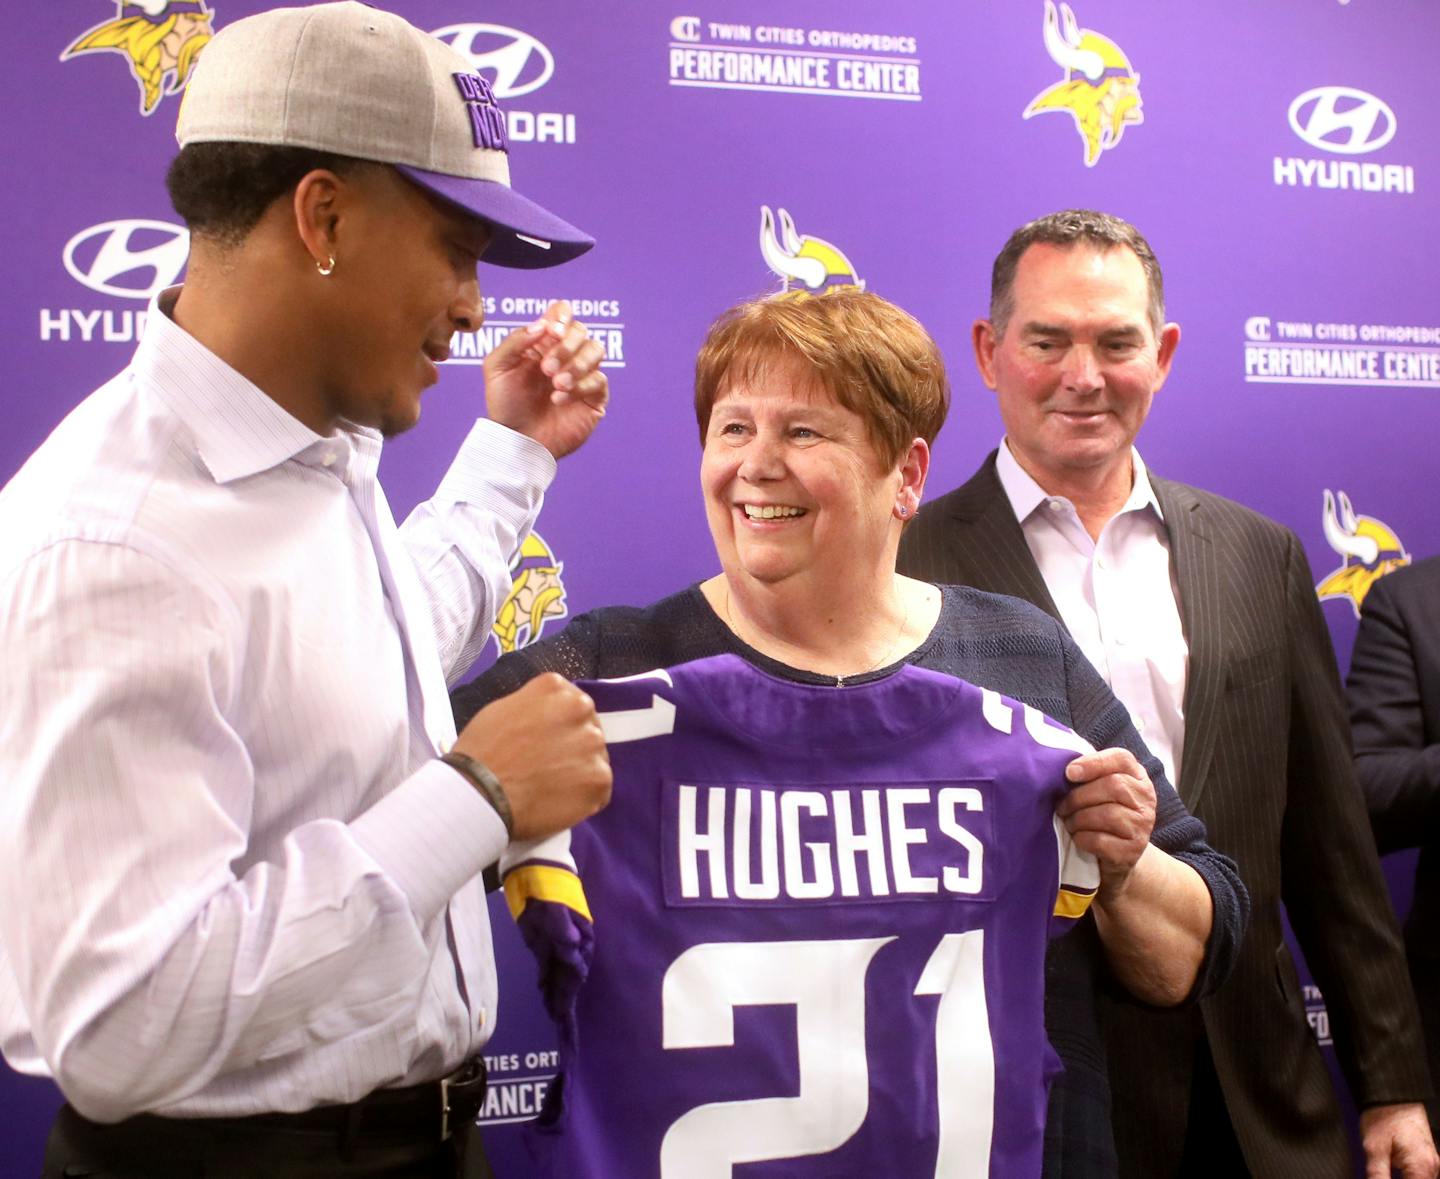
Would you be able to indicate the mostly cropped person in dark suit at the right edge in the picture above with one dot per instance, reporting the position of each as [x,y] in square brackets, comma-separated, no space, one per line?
[1395,696]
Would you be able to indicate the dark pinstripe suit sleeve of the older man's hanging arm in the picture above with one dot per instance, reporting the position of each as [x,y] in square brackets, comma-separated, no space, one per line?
[1331,882]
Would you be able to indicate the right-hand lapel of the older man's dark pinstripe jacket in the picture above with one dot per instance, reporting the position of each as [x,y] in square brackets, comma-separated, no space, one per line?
[1197,575]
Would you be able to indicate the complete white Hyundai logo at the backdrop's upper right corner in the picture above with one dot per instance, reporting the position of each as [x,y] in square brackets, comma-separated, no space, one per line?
[1343,122]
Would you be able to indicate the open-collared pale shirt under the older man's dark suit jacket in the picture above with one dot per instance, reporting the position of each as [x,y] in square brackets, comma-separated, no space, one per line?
[1118,598]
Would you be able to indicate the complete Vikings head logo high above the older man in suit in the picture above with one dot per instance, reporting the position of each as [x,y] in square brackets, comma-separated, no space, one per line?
[1101,93]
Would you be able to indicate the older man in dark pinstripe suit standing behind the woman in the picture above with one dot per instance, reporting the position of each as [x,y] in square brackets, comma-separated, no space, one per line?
[1203,618]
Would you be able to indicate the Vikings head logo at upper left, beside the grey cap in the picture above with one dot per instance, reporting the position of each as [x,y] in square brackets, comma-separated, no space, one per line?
[161,38]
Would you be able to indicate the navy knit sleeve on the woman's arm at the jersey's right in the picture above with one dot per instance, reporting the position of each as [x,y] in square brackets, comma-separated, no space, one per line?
[1104,722]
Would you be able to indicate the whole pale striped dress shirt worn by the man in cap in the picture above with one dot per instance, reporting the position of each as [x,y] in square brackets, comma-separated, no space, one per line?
[227,847]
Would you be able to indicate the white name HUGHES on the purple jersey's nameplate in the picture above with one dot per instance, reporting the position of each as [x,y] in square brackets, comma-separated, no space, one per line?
[744,846]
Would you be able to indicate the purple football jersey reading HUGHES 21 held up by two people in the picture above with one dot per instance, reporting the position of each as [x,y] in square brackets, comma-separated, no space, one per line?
[820,923]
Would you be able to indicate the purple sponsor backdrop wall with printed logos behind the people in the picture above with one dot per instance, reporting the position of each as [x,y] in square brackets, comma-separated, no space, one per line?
[1282,159]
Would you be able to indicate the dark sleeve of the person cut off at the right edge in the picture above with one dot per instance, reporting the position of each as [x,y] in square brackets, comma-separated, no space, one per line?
[1399,771]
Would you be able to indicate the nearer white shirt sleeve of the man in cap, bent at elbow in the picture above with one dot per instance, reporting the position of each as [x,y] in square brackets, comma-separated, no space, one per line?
[146,965]
